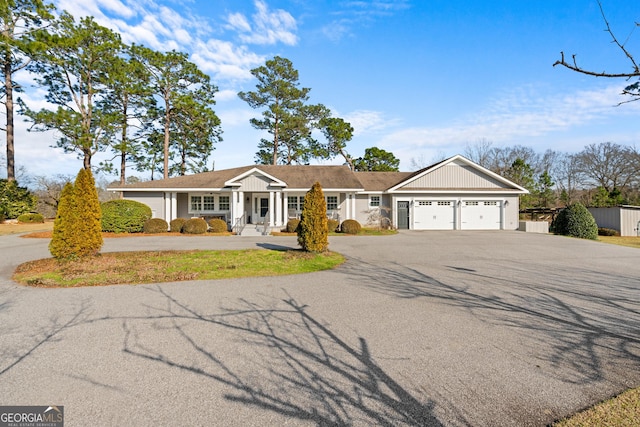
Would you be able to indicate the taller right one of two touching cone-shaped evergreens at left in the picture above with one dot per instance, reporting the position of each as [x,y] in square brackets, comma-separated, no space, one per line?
[88,227]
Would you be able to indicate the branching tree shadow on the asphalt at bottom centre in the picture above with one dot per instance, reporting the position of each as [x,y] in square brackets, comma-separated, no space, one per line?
[300,368]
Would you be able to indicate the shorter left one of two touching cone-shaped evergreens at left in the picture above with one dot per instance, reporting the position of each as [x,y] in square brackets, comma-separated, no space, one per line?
[64,243]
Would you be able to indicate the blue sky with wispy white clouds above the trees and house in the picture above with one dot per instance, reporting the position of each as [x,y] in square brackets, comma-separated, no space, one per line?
[419,78]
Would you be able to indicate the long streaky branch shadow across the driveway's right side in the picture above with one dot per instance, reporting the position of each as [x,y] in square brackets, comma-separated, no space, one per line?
[580,322]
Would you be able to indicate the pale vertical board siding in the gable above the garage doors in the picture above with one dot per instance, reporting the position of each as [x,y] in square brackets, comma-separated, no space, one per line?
[454,176]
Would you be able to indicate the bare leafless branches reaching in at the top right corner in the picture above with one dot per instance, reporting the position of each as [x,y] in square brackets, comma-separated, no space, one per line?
[632,90]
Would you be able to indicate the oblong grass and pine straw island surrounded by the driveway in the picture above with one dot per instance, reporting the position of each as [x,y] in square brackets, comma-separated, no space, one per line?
[170,266]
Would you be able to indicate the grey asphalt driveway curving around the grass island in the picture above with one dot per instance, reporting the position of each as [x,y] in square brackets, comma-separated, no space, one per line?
[422,328]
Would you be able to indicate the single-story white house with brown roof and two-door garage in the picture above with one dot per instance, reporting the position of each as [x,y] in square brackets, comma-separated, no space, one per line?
[453,194]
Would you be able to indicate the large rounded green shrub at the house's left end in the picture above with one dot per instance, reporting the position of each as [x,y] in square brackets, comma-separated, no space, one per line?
[124,216]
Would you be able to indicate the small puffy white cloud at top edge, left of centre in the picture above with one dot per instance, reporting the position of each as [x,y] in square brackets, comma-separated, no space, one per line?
[269,27]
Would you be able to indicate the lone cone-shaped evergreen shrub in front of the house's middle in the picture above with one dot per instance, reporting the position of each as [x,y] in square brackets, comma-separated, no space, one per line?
[312,230]
